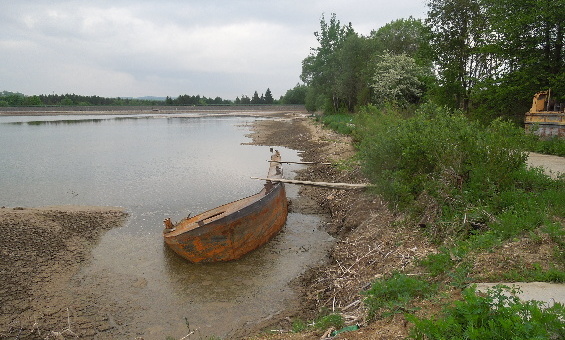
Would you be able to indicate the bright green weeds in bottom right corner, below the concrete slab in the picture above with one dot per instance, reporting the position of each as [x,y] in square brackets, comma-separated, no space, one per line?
[495,315]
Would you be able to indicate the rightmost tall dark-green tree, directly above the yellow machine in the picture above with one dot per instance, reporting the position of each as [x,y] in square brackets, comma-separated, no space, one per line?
[528,37]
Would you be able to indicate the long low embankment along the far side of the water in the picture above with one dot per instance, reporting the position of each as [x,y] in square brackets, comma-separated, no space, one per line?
[252,110]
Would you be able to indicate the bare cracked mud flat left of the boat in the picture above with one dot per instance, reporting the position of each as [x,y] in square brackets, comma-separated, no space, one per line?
[40,251]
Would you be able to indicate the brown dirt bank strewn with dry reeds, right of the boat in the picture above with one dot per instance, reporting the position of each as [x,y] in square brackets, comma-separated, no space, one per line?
[368,244]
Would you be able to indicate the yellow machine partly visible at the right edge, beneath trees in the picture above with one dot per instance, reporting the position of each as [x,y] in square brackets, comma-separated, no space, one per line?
[546,118]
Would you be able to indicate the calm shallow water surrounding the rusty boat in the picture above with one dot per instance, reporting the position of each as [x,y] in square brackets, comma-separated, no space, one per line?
[158,166]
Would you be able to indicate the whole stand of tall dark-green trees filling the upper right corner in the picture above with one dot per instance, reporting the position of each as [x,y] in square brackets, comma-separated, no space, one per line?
[493,55]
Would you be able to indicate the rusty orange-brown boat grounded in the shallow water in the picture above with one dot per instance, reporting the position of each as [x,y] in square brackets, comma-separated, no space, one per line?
[232,230]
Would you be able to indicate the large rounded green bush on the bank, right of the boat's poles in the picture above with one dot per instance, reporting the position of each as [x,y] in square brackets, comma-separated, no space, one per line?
[443,154]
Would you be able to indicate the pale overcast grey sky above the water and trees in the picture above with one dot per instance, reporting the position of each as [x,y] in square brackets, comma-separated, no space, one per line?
[134,48]
